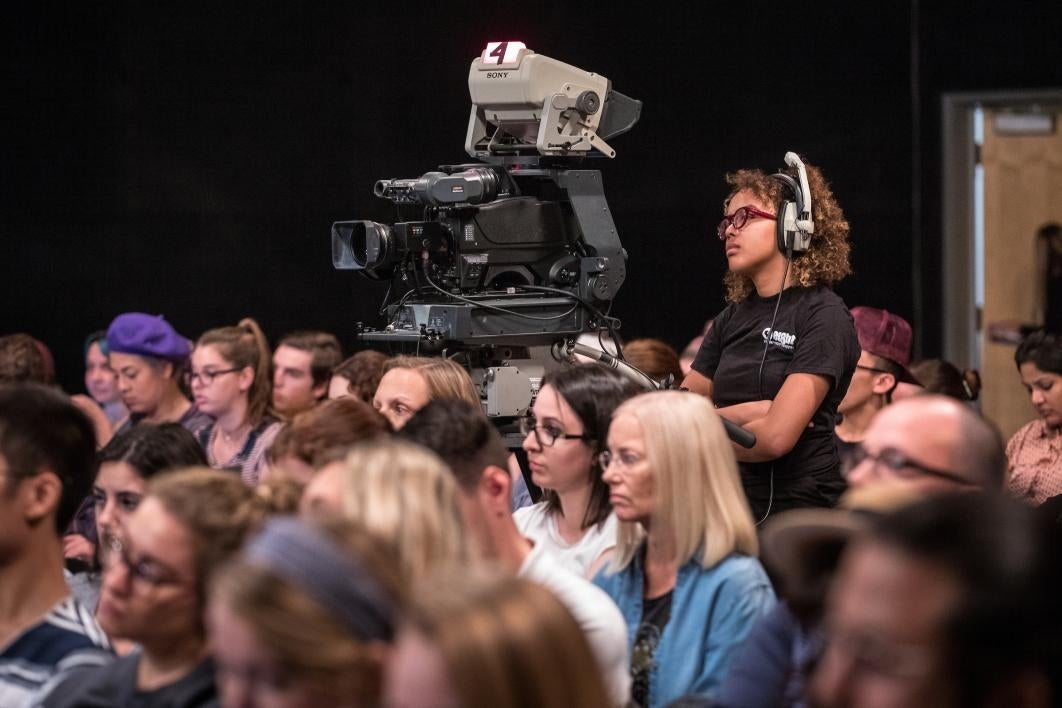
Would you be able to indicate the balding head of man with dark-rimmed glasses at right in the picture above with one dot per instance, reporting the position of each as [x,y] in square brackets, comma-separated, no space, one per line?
[933,443]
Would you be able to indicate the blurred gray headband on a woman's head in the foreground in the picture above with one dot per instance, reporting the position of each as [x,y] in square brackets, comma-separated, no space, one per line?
[306,559]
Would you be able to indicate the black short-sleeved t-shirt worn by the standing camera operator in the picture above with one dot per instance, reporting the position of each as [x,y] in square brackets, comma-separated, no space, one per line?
[814,334]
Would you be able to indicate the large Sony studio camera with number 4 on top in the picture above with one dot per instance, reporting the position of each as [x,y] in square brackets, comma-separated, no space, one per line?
[516,255]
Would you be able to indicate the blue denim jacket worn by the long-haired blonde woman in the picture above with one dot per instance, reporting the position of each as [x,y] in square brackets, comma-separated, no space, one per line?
[712,613]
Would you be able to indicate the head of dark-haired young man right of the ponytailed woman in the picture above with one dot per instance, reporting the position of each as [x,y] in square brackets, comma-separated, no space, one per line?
[302,367]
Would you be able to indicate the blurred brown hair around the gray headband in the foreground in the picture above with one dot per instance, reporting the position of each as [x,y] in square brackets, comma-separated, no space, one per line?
[305,640]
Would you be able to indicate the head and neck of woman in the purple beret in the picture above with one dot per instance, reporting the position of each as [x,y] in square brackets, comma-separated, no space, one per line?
[150,359]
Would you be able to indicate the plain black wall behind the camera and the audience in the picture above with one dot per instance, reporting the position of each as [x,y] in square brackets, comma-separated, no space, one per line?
[190,162]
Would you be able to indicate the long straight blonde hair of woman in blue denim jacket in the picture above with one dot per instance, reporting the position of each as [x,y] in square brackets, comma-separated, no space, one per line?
[699,495]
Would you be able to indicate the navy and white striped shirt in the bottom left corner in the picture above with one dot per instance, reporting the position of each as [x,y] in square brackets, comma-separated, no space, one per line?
[65,640]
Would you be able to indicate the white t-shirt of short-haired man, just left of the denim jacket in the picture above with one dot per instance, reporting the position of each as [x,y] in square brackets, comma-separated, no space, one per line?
[595,613]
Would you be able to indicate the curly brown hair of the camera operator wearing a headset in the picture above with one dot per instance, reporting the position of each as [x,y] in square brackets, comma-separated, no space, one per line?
[827,260]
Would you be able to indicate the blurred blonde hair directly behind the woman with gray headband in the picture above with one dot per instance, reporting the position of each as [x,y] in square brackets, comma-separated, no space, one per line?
[408,496]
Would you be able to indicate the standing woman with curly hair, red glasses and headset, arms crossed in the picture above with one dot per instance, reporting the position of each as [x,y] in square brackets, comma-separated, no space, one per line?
[781,355]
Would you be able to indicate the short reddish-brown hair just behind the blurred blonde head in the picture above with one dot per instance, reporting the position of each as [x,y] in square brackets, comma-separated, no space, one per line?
[317,437]
